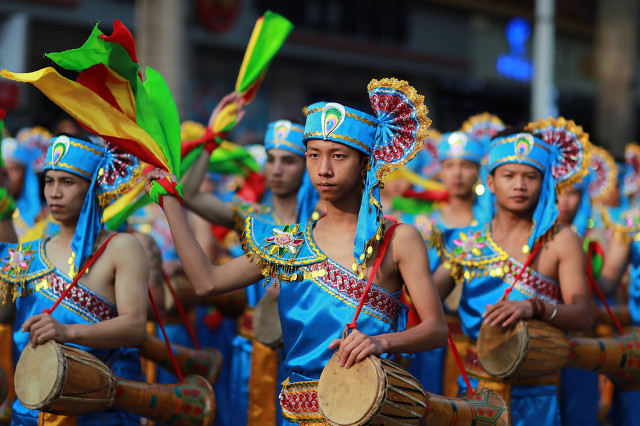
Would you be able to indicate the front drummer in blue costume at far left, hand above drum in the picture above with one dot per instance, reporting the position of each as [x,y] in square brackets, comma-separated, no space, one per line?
[105,313]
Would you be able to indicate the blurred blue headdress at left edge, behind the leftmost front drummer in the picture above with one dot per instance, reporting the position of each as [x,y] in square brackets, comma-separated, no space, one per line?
[29,202]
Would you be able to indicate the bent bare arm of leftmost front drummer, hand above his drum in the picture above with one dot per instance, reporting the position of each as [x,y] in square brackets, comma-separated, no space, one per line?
[131,278]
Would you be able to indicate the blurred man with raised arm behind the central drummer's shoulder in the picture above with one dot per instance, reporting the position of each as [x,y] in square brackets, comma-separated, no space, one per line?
[254,367]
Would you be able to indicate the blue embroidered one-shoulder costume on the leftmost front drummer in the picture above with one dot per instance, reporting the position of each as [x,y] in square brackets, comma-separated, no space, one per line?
[43,284]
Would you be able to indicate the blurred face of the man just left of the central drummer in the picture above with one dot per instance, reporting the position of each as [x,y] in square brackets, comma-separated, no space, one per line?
[284,171]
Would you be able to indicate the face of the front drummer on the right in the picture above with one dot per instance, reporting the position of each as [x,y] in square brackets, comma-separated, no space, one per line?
[516,187]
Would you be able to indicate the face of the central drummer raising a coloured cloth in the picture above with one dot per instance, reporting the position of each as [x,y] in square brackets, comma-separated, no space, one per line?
[336,170]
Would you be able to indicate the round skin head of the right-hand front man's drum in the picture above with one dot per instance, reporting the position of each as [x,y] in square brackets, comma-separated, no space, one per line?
[502,350]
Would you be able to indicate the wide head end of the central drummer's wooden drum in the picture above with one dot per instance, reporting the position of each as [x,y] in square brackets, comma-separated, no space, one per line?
[374,391]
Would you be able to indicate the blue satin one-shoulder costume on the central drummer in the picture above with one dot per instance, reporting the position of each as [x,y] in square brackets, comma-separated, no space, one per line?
[317,298]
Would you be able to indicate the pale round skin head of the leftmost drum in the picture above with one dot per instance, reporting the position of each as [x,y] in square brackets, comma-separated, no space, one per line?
[40,374]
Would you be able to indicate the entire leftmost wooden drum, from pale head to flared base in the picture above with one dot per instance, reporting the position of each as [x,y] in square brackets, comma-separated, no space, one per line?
[65,380]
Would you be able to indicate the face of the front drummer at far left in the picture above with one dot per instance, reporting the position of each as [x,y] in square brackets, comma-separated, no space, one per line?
[65,193]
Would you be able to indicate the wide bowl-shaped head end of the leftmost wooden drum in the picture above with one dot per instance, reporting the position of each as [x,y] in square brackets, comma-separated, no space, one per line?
[63,380]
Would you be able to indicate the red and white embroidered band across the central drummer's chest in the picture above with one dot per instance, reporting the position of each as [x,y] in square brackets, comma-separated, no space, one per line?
[346,286]
